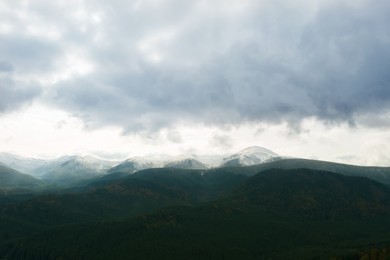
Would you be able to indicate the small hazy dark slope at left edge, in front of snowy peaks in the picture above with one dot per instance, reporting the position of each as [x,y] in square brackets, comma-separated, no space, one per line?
[12,181]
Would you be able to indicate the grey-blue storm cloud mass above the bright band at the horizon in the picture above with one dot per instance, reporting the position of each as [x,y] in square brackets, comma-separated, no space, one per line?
[146,65]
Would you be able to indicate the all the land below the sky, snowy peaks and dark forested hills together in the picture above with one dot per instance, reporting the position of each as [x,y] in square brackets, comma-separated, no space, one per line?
[254,204]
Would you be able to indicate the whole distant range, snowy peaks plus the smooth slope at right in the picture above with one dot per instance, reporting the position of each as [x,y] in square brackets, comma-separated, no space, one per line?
[69,171]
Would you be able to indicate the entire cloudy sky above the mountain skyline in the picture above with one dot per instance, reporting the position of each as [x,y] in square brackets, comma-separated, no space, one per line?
[303,78]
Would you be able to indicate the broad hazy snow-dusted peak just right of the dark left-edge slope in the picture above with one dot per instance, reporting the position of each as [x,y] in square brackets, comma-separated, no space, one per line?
[71,170]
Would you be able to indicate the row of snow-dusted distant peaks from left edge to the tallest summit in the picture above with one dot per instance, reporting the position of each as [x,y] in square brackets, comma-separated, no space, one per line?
[72,170]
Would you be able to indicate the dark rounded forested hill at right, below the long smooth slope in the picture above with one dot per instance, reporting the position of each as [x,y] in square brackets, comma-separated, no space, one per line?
[319,194]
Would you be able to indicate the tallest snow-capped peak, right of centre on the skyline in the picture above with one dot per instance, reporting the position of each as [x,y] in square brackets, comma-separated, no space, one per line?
[249,156]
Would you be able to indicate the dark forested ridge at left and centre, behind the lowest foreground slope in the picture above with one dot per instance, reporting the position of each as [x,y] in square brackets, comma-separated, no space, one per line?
[109,200]
